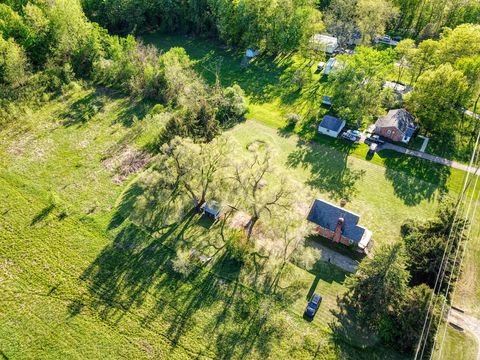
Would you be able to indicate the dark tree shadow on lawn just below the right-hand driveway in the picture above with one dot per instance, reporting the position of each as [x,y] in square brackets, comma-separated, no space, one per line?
[414,179]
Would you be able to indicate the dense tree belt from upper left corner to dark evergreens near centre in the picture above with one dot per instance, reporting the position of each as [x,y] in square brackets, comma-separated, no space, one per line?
[44,46]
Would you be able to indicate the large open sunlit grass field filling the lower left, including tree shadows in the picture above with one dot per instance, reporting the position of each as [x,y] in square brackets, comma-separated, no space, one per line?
[75,286]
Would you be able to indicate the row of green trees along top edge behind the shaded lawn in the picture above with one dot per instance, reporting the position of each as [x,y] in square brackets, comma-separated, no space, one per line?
[273,26]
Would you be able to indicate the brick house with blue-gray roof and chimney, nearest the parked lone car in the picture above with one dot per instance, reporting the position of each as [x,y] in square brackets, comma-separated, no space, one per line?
[339,225]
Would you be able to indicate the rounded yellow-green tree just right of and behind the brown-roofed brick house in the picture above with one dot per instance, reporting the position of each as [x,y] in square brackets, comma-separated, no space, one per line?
[438,98]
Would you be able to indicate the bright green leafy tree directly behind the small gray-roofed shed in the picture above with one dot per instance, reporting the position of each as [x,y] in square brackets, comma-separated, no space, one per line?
[356,88]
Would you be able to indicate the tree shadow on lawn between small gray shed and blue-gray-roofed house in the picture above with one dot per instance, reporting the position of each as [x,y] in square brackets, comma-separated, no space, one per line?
[328,167]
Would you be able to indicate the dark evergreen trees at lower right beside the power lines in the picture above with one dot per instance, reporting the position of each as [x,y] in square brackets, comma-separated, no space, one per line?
[392,292]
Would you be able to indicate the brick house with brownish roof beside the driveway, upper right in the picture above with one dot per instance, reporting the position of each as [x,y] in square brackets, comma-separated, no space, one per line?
[398,125]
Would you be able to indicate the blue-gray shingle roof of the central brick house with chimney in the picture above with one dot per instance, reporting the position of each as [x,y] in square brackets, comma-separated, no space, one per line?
[326,215]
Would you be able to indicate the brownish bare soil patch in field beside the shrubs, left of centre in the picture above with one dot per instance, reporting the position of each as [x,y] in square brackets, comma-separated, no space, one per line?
[125,162]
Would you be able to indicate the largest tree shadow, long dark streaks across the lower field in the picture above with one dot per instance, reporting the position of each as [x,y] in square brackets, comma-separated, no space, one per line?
[137,266]
